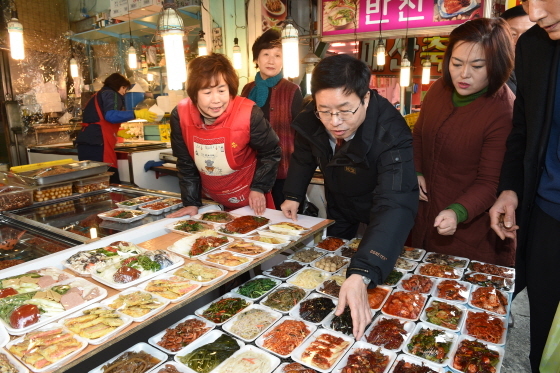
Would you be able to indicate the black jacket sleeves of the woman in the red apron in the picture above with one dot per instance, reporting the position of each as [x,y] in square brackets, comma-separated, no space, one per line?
[263,139]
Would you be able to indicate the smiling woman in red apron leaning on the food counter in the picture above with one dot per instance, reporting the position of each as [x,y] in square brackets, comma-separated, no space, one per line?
[226,150]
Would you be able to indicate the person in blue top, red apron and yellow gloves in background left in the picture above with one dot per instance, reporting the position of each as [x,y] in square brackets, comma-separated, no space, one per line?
[102,119]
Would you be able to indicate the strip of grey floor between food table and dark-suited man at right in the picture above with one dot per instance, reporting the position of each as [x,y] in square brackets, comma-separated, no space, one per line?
[516,358]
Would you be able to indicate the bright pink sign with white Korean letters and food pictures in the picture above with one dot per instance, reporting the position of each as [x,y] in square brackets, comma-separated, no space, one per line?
[349,16]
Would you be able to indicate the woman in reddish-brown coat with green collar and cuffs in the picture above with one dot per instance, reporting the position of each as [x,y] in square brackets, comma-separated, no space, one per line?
[459,144]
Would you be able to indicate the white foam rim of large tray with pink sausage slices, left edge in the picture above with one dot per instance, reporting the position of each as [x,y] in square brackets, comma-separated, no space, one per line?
[45,318]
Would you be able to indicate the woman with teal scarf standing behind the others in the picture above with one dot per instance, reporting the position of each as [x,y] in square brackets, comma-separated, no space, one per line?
[279,99]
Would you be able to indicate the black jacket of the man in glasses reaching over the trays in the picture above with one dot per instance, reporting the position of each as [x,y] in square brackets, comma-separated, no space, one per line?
[370,180]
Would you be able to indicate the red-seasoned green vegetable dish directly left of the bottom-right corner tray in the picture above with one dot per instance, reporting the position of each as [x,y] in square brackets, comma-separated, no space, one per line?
[429,344]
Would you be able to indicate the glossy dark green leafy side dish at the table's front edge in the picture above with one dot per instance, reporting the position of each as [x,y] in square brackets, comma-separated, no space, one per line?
[207,357]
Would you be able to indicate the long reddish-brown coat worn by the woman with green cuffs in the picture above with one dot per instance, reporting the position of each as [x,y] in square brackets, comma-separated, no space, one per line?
[460,151]
